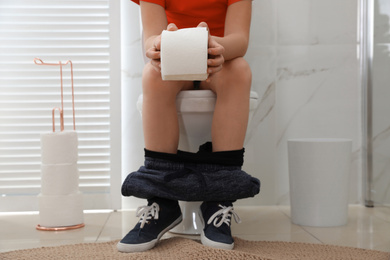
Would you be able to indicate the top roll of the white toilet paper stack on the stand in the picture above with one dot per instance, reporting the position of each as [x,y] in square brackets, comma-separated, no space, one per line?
[59,147]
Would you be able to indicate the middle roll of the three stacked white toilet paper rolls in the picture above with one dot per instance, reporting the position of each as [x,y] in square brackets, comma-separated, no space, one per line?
[59,179]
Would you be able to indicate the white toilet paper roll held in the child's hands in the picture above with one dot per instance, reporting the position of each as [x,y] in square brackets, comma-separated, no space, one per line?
[184,54]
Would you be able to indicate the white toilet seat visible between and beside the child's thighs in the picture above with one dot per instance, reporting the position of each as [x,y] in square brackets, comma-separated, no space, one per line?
[199,101]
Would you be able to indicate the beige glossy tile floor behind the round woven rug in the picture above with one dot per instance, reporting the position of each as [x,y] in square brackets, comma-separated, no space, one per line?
[367,228]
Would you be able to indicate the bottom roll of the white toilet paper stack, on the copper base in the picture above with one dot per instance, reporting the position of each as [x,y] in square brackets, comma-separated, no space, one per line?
[61,211]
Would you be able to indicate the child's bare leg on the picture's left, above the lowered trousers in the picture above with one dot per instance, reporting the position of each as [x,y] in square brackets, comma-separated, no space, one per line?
[159,115]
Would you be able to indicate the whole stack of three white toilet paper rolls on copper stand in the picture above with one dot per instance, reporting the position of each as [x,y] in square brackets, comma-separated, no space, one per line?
[60,201]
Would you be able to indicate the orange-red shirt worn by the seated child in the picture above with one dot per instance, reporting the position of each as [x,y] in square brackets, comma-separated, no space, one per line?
[189,13]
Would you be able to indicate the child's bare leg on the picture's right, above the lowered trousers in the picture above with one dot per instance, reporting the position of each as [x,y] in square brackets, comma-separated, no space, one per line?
[232,86]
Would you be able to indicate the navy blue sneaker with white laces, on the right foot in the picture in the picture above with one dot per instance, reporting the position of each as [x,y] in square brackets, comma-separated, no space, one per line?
[217,232]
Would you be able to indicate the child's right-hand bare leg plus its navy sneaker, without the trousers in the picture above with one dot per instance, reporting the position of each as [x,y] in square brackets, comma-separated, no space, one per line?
[232,86]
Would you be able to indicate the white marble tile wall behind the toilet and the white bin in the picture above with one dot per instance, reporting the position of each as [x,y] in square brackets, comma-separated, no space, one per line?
[304,58]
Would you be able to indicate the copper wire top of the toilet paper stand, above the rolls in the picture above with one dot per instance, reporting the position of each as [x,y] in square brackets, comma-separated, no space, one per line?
[38,61]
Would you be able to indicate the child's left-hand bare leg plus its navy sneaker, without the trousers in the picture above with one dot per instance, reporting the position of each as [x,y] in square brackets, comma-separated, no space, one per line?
[161,132]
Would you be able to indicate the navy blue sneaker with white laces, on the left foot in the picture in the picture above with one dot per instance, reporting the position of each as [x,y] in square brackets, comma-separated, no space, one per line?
[158,217]
